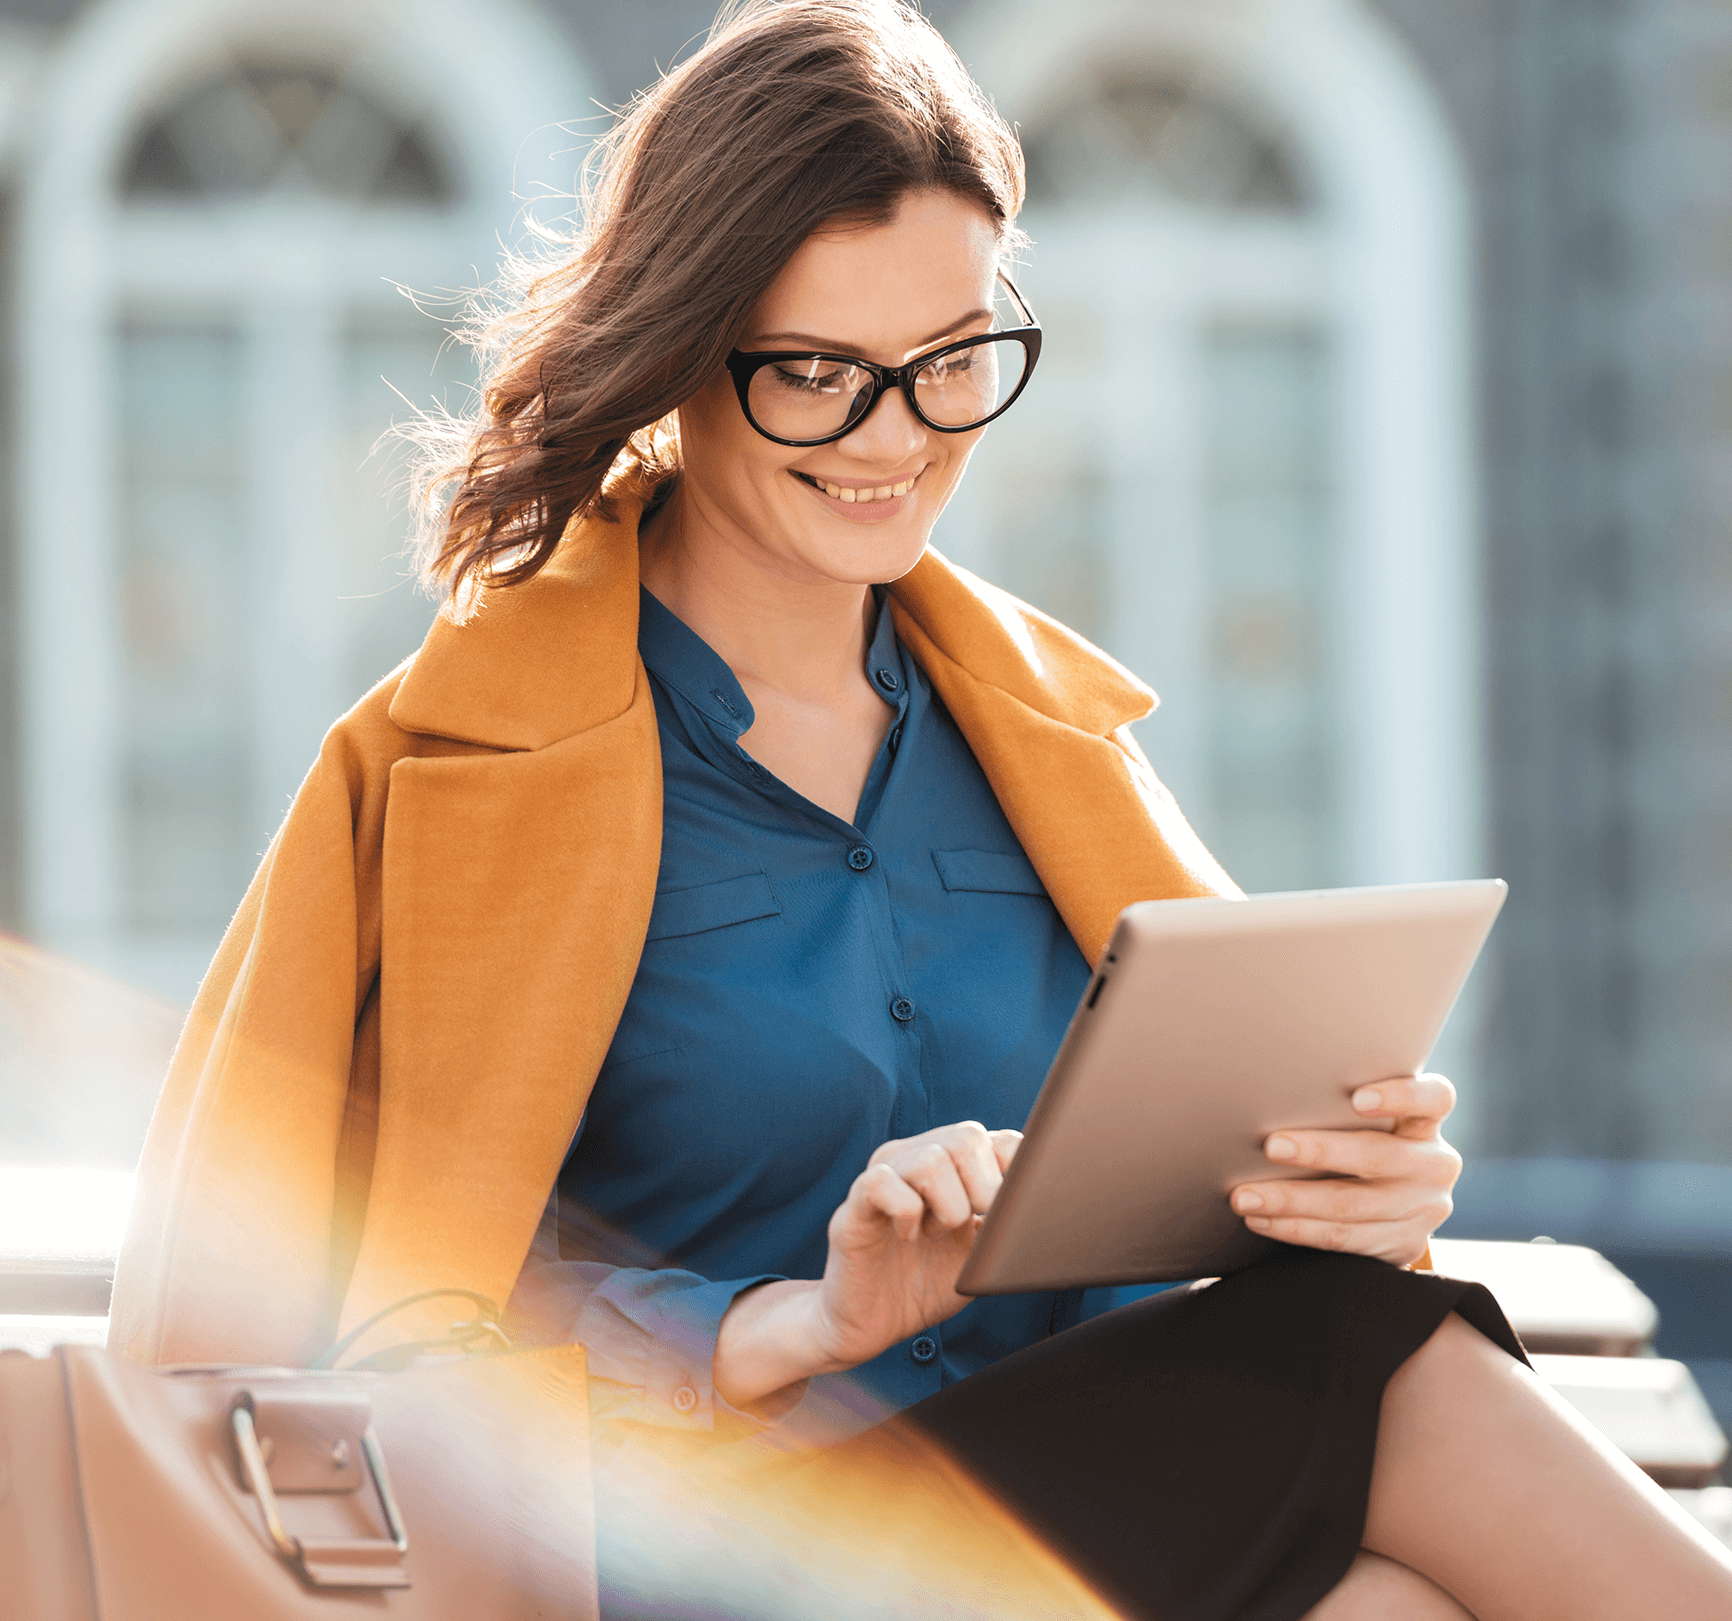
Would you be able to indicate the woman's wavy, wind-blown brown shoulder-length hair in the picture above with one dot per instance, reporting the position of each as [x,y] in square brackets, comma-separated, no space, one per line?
[792,115]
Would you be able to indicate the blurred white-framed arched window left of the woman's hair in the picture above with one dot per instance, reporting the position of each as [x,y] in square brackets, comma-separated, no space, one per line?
[216,292]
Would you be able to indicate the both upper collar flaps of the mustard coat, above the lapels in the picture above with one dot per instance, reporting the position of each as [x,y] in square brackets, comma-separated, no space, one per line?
[559,656]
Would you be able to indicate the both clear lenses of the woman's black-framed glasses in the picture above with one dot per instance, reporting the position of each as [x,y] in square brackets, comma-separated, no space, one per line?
[818,396]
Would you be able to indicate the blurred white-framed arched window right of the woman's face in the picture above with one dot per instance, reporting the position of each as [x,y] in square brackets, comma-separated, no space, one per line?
[1250,262]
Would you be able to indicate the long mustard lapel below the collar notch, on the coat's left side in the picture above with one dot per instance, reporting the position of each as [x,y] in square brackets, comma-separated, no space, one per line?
[517,898]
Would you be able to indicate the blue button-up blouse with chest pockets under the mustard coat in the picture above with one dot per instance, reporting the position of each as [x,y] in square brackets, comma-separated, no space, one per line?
[810,990]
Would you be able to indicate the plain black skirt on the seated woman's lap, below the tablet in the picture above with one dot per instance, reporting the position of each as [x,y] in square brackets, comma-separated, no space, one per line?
[1208,1454]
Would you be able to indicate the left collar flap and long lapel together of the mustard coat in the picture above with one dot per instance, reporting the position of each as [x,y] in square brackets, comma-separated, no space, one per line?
[517,891]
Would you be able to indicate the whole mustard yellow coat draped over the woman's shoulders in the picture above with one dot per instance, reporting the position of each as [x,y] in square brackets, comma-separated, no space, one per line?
[399,1035]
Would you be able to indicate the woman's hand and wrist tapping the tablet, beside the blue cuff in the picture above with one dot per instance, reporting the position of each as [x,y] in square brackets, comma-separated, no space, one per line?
[898,1244]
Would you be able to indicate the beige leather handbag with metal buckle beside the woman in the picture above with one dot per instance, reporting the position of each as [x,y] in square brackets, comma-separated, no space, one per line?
[451,1492]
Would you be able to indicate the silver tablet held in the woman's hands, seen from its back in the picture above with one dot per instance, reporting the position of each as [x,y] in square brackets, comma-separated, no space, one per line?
[1208,1026]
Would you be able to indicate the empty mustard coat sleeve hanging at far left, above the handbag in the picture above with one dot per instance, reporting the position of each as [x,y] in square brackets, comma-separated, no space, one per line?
[236,1222]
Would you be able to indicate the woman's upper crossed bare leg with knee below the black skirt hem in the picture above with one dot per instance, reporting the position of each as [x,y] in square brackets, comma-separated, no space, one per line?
[1499,1492]
